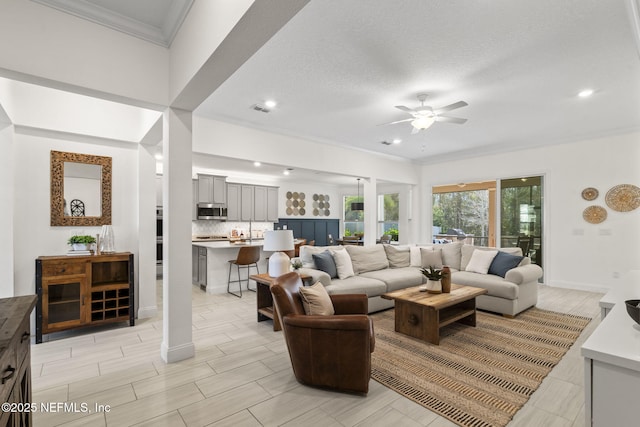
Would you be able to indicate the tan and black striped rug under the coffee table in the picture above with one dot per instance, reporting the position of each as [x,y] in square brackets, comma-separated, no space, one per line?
[477,376]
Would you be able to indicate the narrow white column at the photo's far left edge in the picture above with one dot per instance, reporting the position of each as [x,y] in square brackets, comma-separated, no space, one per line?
[6,213]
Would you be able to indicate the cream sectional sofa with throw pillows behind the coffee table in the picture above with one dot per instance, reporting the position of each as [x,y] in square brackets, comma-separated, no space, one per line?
[375,270]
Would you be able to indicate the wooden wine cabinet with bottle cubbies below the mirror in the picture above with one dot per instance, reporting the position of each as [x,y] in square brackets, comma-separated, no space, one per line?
[78,291]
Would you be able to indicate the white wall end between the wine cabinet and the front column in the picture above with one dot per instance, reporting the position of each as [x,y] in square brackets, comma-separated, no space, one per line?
[146,260]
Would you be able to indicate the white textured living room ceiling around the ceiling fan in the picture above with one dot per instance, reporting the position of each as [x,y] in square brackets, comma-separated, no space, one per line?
[338,69]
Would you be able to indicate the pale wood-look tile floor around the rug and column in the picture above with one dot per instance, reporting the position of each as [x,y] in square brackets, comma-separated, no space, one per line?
[241,376]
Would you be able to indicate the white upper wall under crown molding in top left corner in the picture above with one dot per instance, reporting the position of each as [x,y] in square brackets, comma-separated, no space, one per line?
[67,51]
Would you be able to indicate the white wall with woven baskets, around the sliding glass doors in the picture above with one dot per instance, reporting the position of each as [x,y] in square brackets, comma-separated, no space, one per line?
[577,254]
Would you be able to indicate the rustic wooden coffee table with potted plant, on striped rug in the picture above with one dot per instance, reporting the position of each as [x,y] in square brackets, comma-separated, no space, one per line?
[421,315]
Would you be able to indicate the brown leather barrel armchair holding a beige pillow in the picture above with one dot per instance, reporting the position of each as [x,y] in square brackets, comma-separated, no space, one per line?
[326,351]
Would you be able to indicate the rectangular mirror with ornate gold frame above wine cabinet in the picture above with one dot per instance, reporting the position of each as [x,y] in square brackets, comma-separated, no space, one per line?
[80,189]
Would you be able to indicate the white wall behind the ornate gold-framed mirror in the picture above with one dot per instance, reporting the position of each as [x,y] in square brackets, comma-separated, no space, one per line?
[33,236]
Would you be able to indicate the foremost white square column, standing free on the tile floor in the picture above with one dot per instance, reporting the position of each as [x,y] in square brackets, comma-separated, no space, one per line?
[177,343]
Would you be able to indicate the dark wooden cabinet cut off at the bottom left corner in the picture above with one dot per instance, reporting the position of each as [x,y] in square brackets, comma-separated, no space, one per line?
[15,359]
